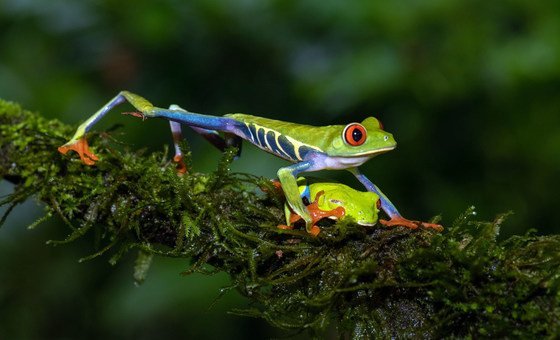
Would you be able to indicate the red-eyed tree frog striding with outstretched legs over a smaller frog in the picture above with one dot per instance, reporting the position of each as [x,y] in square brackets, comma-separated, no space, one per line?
[310,148]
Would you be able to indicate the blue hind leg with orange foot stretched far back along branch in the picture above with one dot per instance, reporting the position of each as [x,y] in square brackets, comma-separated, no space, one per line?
[205,123]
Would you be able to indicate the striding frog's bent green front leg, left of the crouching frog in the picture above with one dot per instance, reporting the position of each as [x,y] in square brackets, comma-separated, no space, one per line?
[287,177]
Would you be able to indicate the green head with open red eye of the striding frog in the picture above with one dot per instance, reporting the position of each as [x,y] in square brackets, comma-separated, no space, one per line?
[365,139]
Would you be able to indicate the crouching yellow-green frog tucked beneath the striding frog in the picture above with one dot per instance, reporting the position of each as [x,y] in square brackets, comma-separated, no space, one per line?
[334,201]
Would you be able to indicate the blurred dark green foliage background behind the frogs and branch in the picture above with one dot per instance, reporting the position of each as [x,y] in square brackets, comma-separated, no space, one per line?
[470,89]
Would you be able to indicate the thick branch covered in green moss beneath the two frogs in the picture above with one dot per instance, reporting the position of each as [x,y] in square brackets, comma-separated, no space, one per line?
[366,282]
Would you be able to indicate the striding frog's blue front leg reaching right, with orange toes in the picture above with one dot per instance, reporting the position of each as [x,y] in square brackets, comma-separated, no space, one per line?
[389,208]
